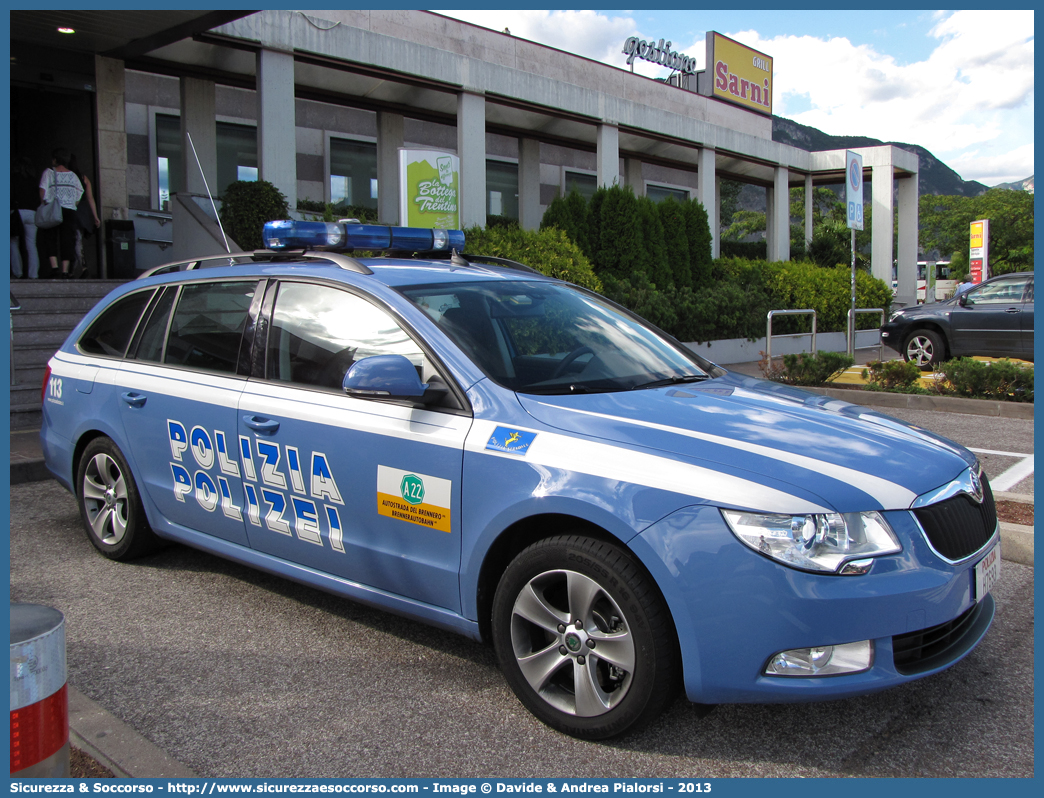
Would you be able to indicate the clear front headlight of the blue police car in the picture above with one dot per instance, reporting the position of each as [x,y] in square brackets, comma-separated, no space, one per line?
[824,543]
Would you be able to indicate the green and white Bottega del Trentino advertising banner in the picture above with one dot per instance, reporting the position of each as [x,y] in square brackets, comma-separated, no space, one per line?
[430,190]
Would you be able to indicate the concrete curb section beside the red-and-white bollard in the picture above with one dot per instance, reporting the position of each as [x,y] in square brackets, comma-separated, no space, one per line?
[117,746]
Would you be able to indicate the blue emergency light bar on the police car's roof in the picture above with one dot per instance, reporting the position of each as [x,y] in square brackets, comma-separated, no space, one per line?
[340,237]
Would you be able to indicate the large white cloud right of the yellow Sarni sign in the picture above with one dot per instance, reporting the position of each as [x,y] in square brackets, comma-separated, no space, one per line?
[959,98]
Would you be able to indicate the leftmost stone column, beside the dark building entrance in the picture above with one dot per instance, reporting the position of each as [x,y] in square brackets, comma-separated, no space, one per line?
[112,156]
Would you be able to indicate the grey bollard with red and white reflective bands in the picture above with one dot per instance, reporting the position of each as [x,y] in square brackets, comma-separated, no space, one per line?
[39,695]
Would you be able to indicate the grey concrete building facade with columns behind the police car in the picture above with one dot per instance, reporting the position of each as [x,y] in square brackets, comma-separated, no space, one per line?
[320,104]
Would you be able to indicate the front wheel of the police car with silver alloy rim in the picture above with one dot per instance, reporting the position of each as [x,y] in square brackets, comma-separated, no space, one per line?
[618,670]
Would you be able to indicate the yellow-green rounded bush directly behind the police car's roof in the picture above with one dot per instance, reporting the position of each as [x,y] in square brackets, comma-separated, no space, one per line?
[548,251]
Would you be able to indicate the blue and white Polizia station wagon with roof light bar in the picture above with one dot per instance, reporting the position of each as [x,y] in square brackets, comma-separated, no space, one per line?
[477,447]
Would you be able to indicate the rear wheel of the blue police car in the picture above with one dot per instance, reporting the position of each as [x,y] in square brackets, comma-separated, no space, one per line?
[110,505]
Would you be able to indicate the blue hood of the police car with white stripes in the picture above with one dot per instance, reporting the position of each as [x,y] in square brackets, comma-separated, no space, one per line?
[852,458]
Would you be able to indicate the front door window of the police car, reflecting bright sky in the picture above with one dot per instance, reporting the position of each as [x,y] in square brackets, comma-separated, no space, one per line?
[319,332]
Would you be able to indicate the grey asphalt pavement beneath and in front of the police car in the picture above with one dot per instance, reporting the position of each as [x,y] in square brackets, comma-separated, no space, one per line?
[235,673]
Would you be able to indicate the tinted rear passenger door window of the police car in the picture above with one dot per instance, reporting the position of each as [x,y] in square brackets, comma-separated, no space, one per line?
[208,326]
